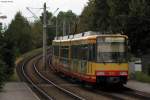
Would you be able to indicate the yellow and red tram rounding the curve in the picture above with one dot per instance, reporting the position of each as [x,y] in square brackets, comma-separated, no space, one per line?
[92,57]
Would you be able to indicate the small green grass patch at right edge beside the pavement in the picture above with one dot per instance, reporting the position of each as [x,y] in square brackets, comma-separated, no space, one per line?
[142,77]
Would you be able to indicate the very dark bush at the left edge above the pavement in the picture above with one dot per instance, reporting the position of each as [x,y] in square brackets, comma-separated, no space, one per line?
[6,58]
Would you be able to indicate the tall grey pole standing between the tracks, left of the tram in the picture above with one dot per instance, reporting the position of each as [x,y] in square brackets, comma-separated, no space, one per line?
[44,39]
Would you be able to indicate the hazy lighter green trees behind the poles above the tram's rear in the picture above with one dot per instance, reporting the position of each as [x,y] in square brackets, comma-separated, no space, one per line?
[68,18]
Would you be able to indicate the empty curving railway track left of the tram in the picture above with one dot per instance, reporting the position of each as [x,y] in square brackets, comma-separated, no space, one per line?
[48,85]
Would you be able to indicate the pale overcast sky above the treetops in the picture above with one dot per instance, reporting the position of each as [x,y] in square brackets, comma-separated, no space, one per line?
[10,9]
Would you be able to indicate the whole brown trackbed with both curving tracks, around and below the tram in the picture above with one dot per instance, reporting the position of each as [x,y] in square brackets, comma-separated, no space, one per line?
[49,89]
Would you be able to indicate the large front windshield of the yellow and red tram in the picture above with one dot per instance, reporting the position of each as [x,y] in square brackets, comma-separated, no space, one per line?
[111,49]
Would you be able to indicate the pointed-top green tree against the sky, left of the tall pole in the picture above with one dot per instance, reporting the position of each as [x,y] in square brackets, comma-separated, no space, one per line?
[20,31]
